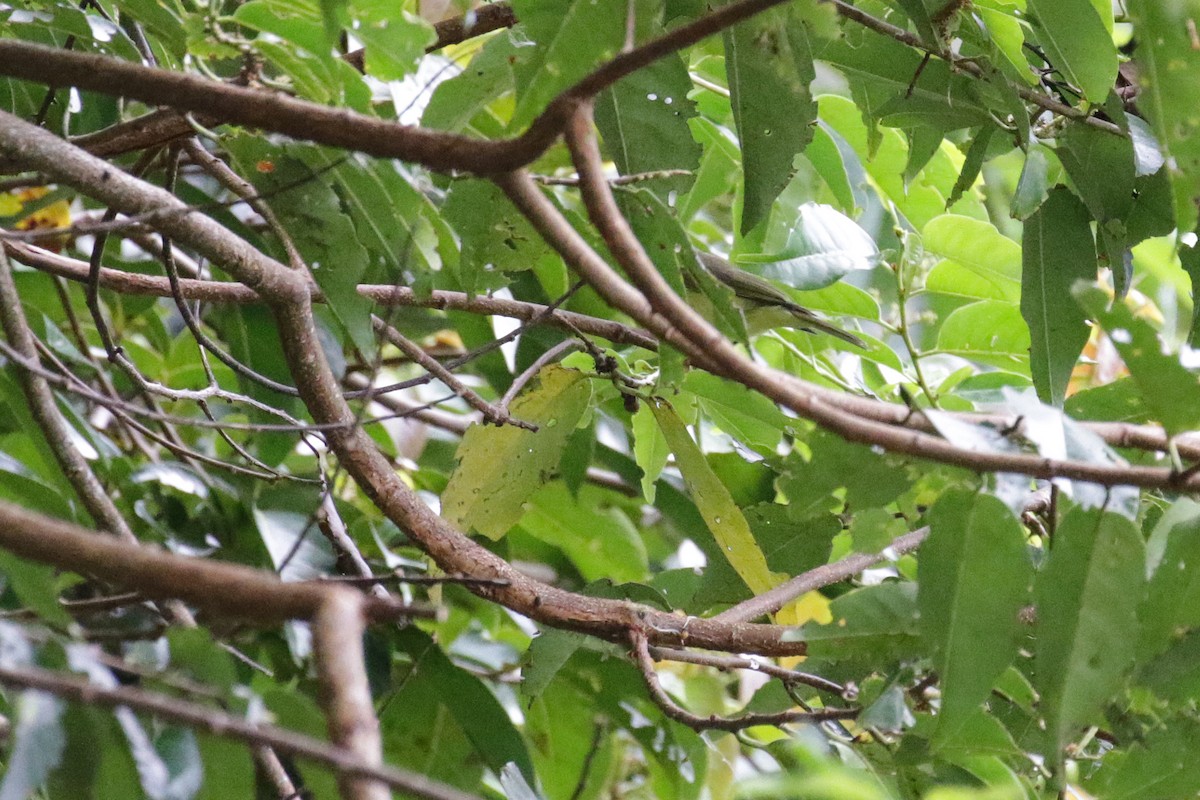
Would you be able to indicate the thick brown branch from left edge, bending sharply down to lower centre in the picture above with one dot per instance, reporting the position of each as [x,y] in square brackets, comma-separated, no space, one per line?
[290,296]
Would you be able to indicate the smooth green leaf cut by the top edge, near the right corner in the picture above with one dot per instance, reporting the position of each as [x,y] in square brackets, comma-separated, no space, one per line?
[1076,41]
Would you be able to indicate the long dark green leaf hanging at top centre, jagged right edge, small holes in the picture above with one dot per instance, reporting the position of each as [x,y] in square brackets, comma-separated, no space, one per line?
[770,68]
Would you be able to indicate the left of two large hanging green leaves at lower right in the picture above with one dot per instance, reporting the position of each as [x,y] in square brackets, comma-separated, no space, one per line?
[975,579]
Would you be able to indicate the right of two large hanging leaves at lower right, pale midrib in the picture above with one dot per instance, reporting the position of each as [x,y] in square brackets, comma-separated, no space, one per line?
[1088,618]
